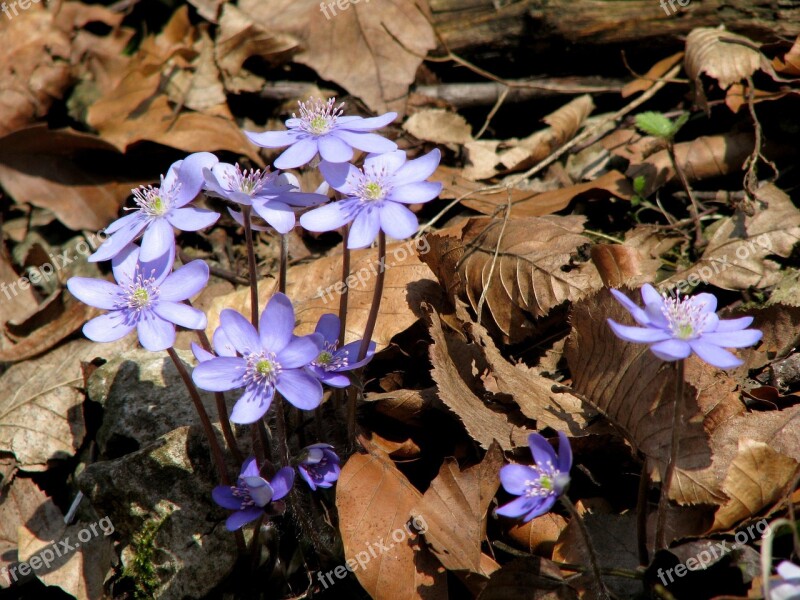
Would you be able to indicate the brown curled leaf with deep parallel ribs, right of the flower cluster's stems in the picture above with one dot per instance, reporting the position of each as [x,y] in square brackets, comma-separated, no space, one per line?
[535,270]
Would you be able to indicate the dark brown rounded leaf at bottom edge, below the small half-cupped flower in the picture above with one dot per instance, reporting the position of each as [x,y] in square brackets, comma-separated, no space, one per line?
[530,578]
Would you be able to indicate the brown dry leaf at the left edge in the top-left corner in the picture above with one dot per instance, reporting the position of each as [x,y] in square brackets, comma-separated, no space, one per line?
[34,67]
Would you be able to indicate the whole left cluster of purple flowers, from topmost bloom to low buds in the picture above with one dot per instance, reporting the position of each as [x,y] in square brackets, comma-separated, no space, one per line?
[150,297]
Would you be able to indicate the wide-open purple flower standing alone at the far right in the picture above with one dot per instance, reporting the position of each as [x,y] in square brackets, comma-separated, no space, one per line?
[676,327]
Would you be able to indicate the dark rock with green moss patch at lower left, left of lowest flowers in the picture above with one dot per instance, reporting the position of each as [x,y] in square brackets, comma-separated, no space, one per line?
[173,537]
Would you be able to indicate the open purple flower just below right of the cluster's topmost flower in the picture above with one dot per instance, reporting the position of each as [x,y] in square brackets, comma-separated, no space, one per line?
[375,196]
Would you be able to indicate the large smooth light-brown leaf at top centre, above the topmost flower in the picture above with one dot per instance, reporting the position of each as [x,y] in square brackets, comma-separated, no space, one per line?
[371,50]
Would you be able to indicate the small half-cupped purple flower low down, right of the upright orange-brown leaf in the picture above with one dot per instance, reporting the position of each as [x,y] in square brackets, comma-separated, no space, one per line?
[539,486]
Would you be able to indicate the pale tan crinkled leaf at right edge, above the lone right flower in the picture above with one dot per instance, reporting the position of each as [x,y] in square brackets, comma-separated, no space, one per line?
[736,255]
